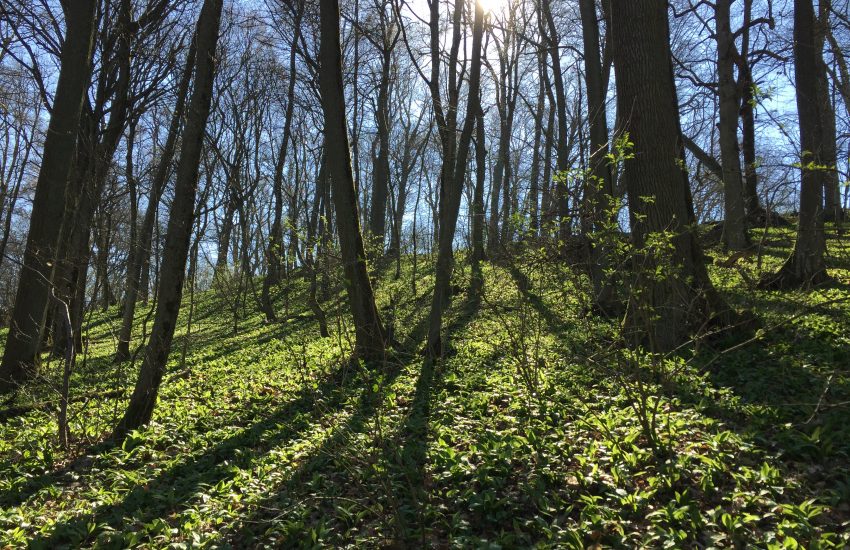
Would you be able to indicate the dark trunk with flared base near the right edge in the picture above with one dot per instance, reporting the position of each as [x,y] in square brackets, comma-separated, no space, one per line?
[806,265]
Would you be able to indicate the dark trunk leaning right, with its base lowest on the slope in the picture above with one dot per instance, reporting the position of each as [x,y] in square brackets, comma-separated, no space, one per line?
[170,288]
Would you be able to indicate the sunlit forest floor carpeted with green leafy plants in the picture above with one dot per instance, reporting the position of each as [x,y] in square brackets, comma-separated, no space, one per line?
[535,430]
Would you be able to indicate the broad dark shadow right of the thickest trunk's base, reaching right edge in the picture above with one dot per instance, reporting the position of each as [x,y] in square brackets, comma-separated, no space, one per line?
[784,408]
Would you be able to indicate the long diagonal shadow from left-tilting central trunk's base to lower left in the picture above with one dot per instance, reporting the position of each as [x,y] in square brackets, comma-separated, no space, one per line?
[177,486]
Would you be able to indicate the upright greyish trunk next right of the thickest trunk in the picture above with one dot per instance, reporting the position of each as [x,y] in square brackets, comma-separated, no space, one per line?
[735,223]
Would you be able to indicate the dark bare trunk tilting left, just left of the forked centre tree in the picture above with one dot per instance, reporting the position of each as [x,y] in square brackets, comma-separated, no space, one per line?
[369,333]
